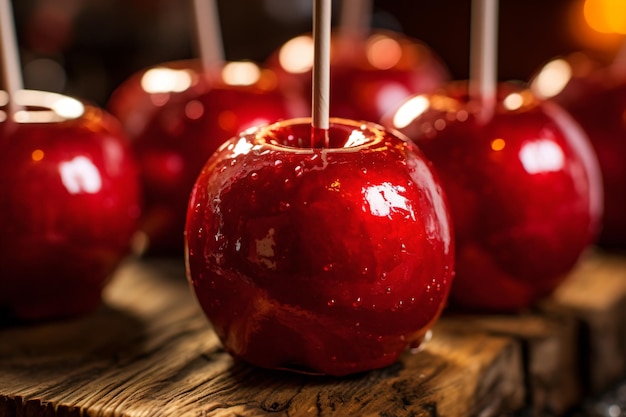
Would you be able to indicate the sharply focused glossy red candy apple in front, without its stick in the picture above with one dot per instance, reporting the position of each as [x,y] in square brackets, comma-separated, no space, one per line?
[328,260]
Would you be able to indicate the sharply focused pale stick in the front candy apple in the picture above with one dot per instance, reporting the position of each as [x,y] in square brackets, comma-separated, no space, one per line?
[321,66]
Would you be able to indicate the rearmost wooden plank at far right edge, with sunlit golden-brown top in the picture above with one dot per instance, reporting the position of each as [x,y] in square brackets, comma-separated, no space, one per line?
[594,295]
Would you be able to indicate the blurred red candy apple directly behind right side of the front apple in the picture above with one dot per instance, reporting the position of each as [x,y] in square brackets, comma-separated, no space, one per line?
[524,188]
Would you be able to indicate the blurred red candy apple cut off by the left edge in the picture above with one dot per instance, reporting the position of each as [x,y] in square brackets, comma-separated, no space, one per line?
[69,205]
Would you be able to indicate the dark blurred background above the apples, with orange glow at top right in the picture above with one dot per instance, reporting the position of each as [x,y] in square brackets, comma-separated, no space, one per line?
[87,47]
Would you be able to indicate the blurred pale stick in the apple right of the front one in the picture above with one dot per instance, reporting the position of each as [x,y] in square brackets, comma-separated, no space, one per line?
[483,56]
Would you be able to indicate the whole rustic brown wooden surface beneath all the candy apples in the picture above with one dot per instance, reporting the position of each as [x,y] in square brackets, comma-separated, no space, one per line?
[149,351]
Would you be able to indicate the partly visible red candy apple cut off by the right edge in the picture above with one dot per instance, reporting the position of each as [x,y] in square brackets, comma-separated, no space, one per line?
[595,95]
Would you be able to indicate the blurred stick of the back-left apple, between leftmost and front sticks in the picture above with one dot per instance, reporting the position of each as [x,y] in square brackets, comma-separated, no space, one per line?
[208,33]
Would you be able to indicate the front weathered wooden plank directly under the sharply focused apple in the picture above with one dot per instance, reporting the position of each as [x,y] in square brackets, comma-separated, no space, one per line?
[149,351]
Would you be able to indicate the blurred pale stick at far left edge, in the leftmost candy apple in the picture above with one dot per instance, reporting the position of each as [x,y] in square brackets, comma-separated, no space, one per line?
[11,70]
